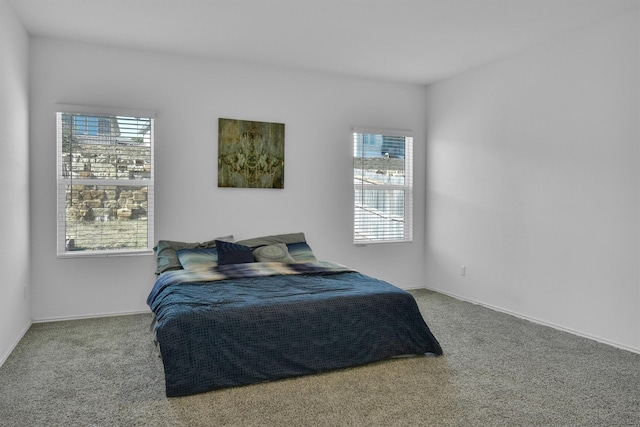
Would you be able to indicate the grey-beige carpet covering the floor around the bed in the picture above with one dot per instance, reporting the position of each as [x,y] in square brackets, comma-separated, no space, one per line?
[497,371]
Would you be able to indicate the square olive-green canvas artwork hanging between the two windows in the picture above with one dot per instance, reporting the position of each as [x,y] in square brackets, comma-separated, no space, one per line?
[250,154]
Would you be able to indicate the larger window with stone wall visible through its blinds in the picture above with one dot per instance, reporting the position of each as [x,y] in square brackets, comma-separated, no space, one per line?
[105,182]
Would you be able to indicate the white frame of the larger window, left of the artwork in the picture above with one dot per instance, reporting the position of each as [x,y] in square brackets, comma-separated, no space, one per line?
[63,181]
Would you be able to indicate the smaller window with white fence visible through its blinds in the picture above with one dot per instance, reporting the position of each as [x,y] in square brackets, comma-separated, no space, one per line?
[383,186]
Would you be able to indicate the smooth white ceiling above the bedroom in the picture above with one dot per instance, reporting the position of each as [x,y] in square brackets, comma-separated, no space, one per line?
[412,41]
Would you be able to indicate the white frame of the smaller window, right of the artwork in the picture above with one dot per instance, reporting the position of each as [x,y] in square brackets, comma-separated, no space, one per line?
[406,187]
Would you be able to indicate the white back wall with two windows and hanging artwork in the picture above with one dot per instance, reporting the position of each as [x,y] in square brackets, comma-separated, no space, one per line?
[189,95]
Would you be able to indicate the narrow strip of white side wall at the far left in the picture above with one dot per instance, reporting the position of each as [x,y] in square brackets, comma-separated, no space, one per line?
[15,316]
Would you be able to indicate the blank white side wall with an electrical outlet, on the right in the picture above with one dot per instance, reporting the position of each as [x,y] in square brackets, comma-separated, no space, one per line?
[533,183]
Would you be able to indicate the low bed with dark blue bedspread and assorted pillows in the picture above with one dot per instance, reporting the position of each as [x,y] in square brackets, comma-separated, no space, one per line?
[235,313]
